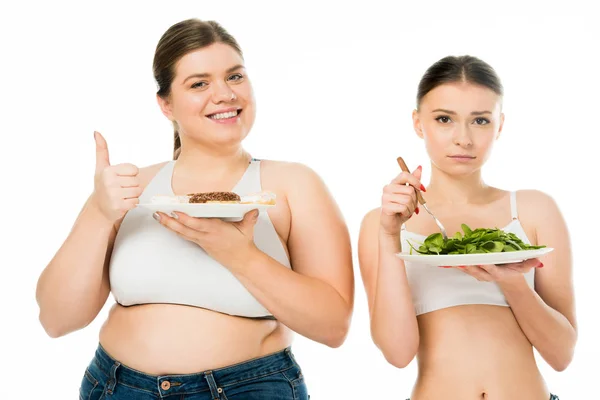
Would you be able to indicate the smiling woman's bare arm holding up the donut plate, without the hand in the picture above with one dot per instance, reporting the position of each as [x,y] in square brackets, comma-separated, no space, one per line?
[316,298]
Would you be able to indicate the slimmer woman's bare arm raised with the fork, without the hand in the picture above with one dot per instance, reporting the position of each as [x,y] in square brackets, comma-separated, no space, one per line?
[394,326]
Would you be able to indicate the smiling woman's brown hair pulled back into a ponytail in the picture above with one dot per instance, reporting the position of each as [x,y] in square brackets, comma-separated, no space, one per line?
[176,42]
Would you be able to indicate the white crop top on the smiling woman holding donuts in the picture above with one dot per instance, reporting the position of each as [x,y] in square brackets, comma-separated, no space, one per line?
[151,264]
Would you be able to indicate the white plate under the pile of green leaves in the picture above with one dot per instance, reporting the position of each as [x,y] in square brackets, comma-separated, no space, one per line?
[454,260]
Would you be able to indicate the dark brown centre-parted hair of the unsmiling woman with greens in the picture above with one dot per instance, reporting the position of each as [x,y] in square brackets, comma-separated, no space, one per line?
[459,69]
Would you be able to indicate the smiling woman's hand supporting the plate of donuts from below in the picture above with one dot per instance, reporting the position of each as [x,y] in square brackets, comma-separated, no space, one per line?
[227,242]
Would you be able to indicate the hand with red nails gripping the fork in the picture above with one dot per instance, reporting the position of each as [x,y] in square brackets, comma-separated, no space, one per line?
[399,201]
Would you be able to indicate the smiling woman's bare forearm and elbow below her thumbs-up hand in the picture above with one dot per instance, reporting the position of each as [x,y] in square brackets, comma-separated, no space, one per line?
[74,286]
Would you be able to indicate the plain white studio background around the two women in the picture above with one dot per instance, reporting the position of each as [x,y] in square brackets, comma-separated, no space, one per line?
[335,87]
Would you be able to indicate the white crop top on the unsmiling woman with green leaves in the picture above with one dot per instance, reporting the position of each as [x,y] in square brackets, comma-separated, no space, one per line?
[435,288]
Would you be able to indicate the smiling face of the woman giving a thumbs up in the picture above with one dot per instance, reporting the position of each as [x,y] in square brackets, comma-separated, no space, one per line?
[211,98]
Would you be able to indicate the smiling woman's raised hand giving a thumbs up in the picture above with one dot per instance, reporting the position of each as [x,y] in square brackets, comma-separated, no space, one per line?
[116,187]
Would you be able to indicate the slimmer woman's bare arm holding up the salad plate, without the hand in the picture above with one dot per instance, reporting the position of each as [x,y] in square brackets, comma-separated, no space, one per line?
[547,317]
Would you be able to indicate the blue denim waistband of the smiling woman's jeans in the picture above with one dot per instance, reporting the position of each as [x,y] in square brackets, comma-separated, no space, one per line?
[165,385]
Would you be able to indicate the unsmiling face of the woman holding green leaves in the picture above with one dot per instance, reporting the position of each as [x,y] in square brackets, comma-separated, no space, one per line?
[459,123]
